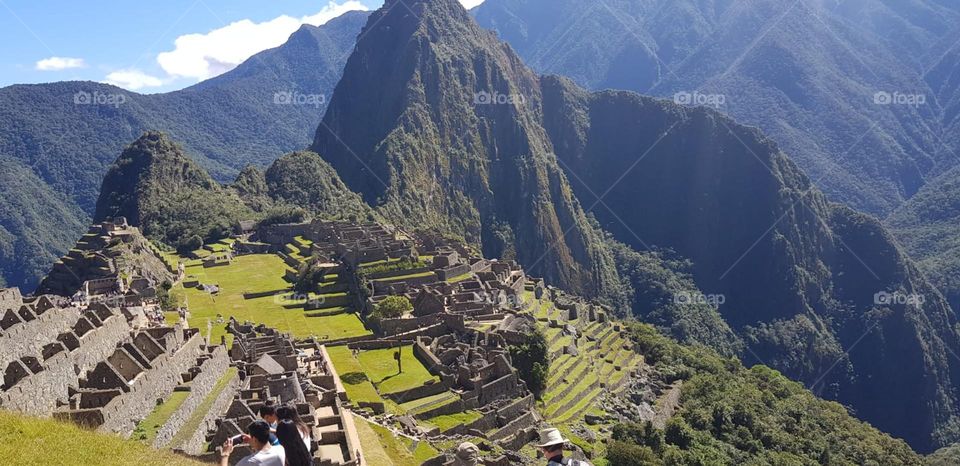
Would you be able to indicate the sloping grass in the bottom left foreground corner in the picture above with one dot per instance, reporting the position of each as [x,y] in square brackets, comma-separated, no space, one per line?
[27,441]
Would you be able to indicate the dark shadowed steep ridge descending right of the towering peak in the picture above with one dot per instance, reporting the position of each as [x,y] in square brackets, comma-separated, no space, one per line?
[816,289]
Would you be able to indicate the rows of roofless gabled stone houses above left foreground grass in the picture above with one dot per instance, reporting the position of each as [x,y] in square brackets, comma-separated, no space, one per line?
[100,366]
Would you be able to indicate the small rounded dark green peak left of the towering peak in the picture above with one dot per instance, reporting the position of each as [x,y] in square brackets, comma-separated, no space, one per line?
[161,190]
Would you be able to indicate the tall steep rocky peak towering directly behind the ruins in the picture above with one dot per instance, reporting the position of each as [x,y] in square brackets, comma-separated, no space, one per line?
[436,124]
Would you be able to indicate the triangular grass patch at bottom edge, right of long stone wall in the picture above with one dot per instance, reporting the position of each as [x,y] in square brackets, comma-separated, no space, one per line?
[381,447]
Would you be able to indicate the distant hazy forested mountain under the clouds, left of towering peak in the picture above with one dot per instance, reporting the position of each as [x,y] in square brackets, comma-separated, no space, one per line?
[68,133]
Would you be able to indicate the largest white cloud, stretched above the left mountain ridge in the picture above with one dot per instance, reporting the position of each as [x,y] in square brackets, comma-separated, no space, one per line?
[203,56]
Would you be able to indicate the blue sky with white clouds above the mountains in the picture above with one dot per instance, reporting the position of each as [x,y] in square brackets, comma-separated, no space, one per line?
[148,46]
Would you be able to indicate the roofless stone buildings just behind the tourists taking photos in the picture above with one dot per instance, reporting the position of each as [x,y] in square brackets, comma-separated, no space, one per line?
[272,366]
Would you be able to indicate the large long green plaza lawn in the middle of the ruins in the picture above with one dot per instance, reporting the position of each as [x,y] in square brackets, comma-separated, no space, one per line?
[256,274]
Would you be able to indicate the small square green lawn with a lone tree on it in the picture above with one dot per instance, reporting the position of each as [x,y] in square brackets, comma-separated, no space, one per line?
[381,368]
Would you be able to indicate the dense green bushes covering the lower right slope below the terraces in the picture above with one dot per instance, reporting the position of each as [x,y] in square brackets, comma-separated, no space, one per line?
[736,415]
